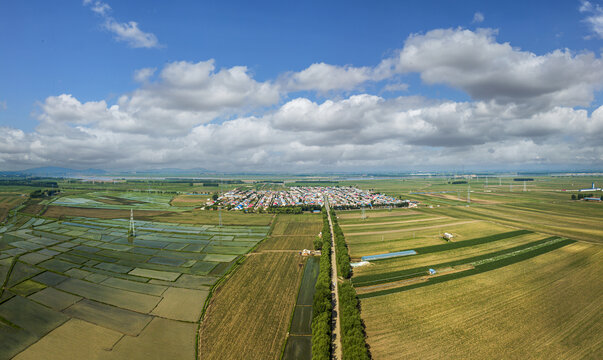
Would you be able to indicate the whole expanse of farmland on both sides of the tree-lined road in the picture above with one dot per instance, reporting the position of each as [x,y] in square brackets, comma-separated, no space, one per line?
[185,286]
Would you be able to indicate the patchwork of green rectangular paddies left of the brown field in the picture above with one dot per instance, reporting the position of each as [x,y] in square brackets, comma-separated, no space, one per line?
[141,297]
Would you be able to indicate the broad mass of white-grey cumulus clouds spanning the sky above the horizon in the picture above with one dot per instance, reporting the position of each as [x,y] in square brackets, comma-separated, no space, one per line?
[524,109]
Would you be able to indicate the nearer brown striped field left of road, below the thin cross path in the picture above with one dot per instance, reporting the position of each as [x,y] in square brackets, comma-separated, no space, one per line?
[255,296]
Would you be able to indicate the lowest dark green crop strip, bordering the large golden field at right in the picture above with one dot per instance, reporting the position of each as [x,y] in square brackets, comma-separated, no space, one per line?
[478,269]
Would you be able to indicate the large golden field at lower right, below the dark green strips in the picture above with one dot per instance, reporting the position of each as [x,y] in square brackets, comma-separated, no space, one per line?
[546,307]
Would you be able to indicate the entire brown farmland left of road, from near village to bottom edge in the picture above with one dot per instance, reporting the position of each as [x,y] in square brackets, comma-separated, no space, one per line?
[262,294]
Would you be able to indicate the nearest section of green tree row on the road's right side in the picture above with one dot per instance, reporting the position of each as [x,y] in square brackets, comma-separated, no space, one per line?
[353,344]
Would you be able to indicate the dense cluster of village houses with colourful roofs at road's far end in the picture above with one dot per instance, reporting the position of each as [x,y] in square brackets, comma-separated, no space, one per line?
[250,199]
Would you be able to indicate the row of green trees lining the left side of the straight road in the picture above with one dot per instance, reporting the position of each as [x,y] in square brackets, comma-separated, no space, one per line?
[321,304]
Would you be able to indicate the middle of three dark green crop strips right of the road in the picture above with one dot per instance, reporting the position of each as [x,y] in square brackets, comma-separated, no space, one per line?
[375,279]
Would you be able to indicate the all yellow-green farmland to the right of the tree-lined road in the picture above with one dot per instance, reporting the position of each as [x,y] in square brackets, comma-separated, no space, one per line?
[514,255]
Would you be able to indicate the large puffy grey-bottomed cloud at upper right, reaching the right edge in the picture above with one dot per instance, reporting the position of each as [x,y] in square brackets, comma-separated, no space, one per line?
[488,70]
